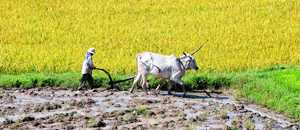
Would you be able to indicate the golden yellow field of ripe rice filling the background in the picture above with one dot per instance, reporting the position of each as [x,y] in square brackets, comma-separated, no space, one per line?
[53,35]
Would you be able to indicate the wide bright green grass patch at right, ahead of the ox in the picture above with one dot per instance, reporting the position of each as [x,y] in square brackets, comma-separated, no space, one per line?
[276,89]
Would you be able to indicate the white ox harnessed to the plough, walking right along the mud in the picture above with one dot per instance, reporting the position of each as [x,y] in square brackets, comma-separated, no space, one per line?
[165,67]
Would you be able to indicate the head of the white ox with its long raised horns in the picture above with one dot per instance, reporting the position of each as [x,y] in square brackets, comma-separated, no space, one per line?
[189,60]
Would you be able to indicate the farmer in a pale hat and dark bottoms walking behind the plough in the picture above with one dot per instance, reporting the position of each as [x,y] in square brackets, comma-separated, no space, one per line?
[87,80]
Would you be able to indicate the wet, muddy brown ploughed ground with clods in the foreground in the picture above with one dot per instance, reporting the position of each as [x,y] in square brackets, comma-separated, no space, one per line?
[50,108]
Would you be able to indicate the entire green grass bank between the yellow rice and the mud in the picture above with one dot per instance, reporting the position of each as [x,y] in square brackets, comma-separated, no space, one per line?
[277,88]
